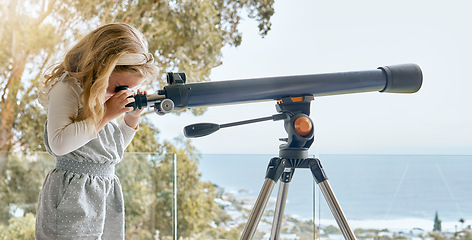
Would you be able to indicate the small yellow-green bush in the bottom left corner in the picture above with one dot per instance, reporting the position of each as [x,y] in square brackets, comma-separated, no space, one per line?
[19,228]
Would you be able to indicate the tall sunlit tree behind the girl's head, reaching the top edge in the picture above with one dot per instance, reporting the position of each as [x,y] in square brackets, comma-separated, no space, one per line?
[183,35]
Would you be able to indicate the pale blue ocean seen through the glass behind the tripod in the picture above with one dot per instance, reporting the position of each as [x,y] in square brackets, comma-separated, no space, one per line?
[374,191]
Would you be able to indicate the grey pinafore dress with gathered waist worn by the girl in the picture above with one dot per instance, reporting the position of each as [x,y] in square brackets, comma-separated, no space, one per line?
[81,197]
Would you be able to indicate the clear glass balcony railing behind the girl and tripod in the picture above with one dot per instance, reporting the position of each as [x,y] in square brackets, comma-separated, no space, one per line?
[176,196]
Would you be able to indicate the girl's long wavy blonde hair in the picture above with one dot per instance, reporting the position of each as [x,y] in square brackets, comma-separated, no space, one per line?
[94,58]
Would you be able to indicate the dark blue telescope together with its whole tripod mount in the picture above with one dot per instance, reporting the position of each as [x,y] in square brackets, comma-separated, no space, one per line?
[293,95]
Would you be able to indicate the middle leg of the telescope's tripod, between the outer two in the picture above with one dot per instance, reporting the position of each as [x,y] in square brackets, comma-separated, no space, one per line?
[281,201]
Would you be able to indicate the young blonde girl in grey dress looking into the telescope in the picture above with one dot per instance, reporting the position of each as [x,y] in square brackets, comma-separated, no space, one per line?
[81,197]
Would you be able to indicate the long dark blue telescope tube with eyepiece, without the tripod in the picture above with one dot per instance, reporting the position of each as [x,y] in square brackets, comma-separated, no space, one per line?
[403,78]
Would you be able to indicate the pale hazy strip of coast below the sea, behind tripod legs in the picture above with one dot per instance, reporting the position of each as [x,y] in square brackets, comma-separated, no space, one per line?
[238,207]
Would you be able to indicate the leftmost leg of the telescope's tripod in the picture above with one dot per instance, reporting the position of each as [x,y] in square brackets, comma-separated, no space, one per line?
[274,171]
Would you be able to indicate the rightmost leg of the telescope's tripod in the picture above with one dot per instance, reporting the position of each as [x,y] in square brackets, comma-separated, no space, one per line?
[322,180]
